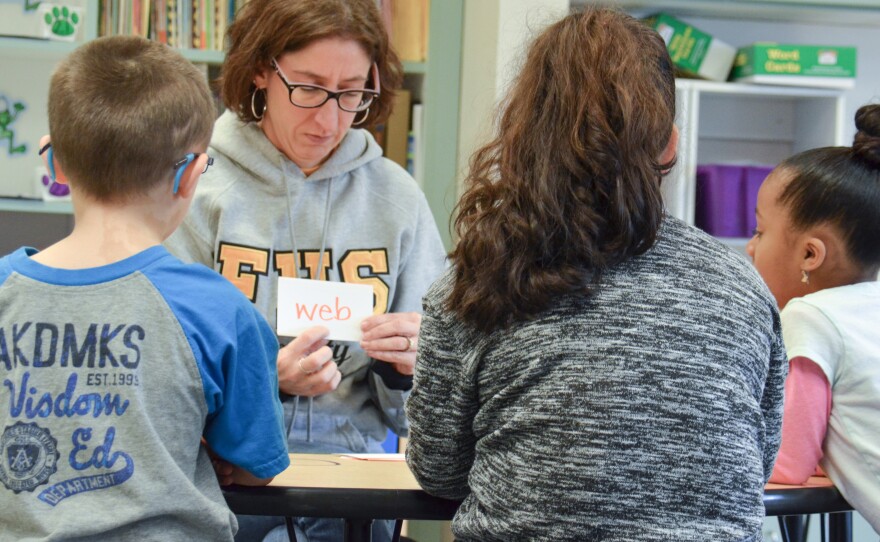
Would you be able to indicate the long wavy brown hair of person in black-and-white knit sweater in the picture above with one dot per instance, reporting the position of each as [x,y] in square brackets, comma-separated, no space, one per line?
[570,185]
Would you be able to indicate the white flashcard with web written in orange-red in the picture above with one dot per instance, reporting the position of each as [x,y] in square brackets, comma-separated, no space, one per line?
[340,307]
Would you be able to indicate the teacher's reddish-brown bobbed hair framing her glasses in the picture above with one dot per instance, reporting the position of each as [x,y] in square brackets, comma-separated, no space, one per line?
[266,29]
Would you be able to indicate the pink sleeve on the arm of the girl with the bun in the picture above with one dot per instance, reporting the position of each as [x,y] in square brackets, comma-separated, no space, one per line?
[804,422]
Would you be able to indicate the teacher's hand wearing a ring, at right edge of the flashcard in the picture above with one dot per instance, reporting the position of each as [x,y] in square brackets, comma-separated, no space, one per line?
[393,338]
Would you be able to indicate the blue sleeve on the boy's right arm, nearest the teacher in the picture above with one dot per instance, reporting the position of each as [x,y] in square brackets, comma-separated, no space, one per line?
[235,350]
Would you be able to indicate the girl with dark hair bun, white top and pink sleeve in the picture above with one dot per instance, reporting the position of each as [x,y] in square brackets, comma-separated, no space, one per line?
[817,245]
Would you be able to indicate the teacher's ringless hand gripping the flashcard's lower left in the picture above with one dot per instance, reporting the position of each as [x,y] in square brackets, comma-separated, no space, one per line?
[305,365]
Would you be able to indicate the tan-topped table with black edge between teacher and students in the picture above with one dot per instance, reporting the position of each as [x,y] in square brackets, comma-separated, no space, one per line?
[359,491]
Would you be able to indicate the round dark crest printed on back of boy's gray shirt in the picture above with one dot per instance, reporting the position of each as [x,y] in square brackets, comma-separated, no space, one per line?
[29,456]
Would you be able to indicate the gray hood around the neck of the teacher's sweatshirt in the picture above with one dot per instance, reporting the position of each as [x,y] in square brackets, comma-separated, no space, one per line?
[270,166]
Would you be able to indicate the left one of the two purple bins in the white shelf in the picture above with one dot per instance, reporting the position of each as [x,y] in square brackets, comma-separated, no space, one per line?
[720,200]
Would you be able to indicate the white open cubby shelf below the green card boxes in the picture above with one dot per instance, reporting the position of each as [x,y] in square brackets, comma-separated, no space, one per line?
[736,123]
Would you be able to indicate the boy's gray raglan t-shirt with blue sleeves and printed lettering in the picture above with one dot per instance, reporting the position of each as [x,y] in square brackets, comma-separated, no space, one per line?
[109,378]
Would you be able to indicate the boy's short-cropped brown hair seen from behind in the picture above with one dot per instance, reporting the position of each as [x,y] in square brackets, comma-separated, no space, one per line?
[122,111]
